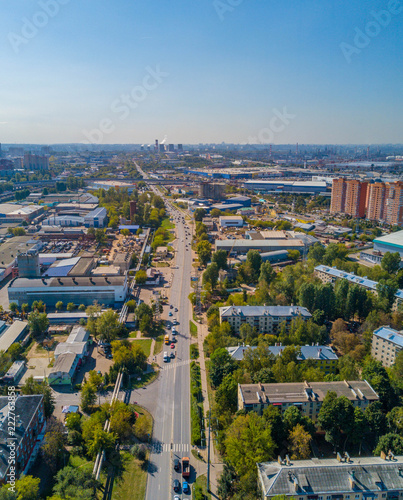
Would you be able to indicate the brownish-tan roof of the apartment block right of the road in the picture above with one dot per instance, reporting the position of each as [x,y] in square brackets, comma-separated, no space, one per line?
[300,392]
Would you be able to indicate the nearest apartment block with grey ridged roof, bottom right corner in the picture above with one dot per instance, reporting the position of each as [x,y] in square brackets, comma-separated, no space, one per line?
[361,478]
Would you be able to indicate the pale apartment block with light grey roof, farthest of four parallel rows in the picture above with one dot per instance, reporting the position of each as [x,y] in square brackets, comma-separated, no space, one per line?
[266,319]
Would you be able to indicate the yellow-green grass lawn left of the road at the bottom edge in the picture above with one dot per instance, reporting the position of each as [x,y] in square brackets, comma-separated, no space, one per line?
[132,484]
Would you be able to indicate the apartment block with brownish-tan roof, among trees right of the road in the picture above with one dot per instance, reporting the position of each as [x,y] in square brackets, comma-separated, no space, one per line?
[308,397]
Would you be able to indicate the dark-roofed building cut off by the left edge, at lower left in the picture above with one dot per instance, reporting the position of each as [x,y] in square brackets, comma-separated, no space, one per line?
[30,425]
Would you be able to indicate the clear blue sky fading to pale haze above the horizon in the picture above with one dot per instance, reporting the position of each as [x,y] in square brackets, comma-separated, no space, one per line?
[201,71]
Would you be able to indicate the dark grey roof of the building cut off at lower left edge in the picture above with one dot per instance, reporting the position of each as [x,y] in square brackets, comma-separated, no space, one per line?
[25,408]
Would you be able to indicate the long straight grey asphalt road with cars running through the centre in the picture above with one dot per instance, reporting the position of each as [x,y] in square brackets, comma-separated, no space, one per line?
[171,438]
